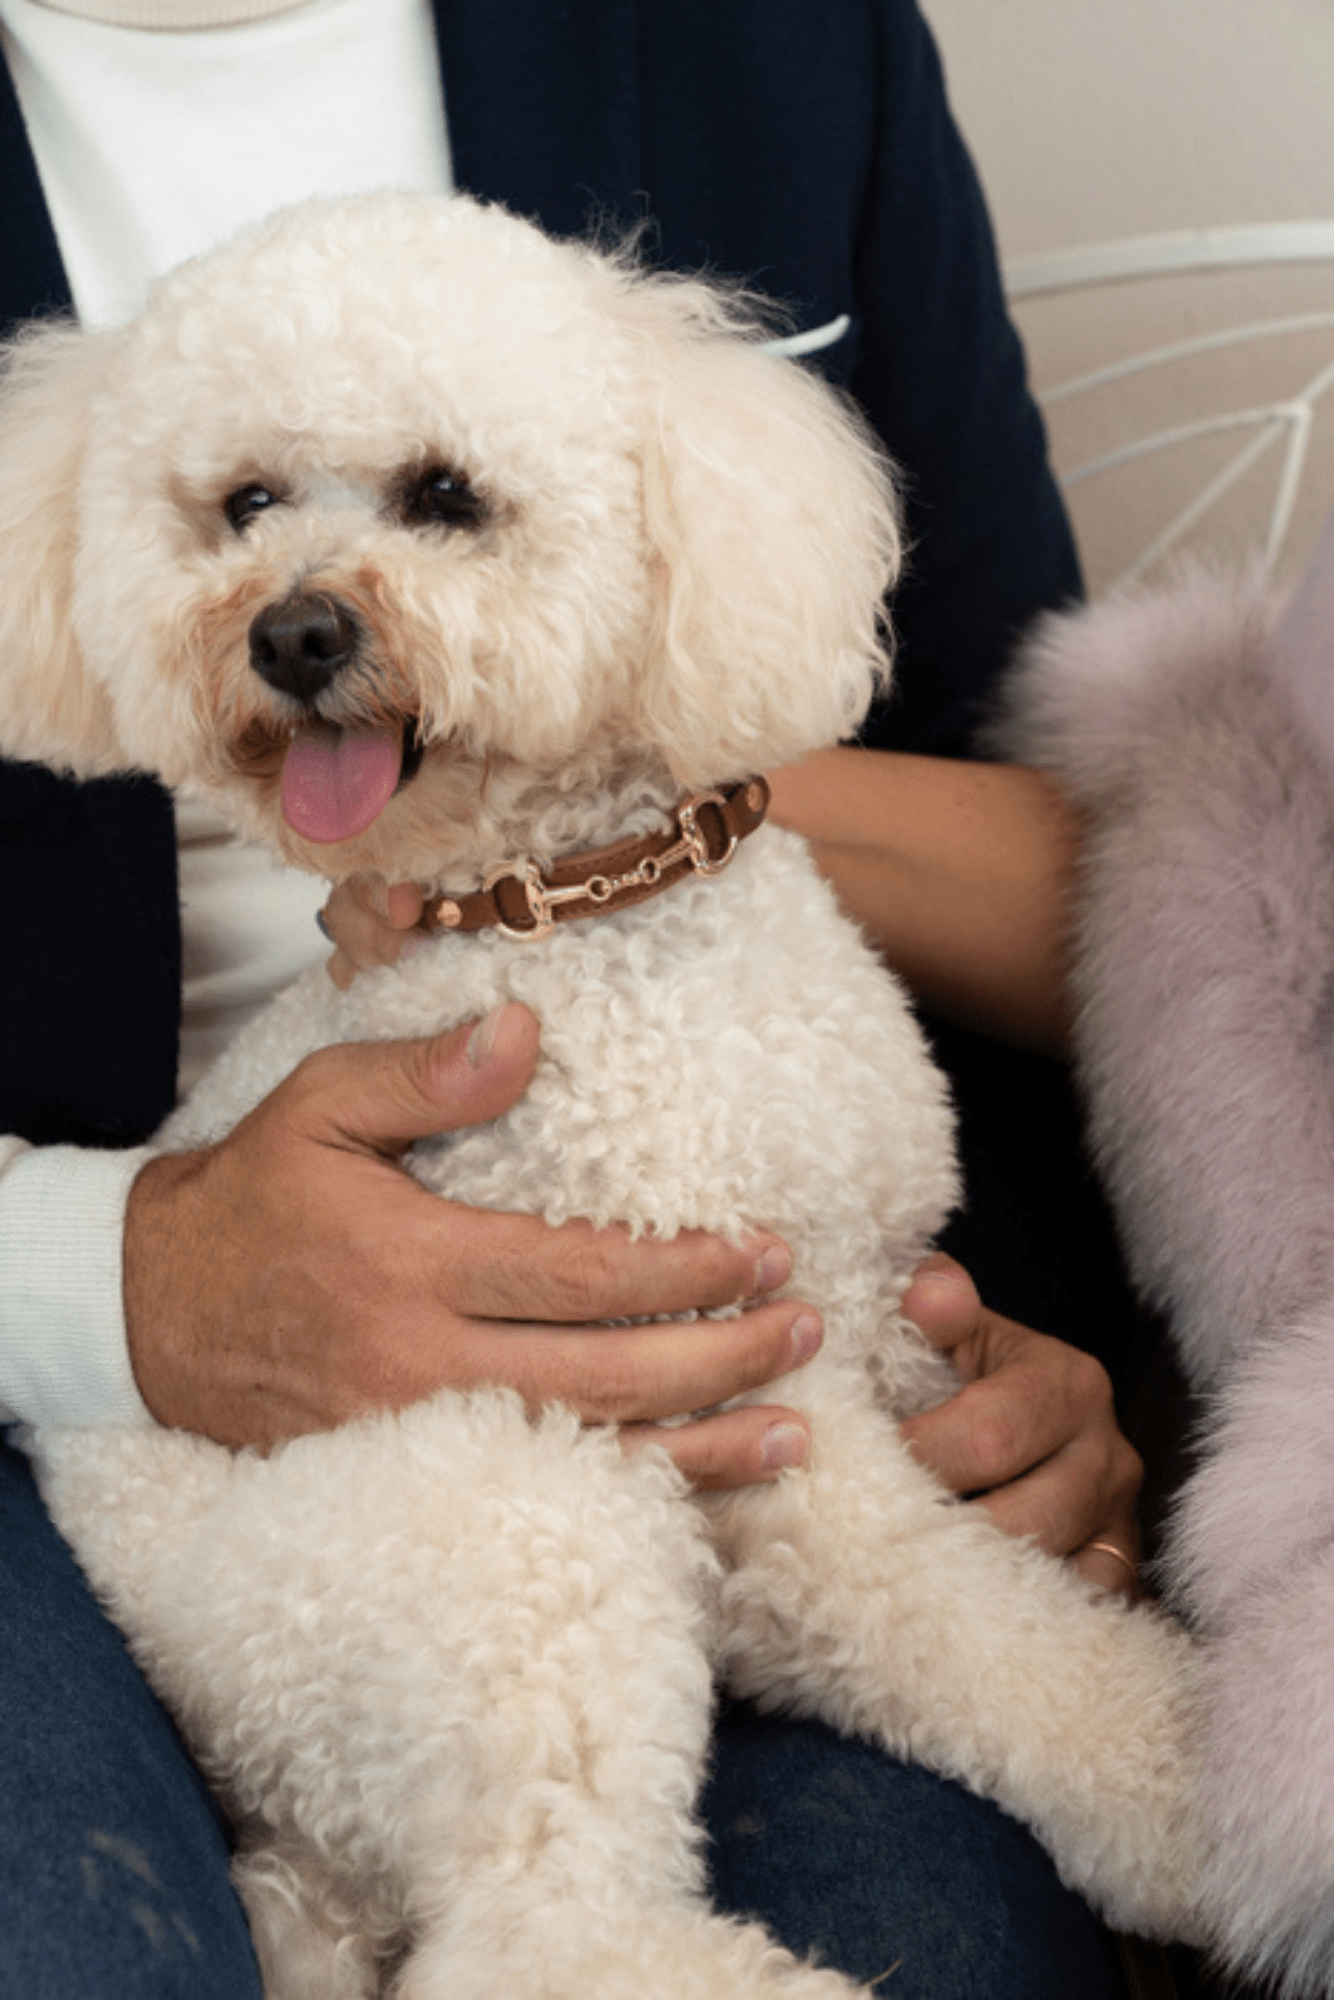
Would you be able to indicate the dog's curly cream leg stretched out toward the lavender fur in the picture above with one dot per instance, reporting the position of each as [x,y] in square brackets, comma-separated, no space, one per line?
[867,1597]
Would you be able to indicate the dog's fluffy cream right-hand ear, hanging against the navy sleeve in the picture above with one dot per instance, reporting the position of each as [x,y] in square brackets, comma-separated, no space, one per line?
[773,521]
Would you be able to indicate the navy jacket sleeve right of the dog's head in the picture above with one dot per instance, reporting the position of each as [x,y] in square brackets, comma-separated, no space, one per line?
[943,379]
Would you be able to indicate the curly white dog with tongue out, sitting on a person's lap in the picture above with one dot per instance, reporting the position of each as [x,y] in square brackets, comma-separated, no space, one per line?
[425,545]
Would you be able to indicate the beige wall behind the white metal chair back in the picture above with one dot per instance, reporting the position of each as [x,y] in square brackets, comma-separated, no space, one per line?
[1107,119]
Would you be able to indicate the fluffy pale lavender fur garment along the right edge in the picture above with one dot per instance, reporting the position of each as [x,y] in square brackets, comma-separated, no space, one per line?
[1191,729]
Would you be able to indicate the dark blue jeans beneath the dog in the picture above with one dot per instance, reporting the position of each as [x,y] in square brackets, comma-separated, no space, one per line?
[113,1857]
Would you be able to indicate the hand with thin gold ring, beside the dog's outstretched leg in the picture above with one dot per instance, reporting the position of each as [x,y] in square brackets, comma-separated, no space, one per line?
[1033,1433]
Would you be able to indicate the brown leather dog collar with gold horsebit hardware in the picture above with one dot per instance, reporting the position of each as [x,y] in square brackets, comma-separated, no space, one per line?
[525,903]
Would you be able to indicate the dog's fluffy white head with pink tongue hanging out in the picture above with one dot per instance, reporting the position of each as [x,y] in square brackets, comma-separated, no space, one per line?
[399,493]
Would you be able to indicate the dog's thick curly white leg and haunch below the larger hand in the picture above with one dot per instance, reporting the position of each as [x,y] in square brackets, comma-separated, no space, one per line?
[459,1667]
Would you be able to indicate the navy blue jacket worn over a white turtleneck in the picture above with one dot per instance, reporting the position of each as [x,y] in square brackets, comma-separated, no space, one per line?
[801,145]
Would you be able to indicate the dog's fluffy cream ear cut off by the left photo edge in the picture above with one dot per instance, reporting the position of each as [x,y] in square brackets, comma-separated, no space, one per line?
[51,709]
